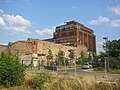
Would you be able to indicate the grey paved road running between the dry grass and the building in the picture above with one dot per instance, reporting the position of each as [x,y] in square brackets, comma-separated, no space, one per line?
[83,72]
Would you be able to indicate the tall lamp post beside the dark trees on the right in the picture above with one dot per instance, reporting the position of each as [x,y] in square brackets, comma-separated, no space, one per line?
[106,48]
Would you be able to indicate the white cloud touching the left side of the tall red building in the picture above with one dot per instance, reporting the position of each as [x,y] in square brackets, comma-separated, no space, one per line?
[45,32]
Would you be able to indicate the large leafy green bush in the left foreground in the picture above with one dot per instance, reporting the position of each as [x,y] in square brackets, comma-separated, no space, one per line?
[11,71]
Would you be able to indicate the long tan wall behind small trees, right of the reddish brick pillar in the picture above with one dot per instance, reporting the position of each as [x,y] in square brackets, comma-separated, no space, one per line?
[43,48]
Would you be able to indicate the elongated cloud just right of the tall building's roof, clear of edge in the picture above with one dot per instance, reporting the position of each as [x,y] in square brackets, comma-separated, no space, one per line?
[99,20]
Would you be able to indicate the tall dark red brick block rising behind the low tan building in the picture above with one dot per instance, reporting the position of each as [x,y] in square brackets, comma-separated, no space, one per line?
[75,34]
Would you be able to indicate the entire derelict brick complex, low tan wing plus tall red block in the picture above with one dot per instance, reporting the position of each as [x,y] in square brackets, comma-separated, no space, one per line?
[72,35]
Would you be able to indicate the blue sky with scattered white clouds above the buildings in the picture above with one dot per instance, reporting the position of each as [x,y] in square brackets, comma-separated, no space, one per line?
[22,19]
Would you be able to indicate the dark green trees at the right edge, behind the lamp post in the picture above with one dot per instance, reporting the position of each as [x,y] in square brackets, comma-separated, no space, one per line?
[114,56]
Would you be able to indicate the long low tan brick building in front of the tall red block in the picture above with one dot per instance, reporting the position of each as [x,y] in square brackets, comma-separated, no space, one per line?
[34,51]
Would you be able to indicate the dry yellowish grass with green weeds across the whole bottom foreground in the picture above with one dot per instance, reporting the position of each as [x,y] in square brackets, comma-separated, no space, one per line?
[59,81]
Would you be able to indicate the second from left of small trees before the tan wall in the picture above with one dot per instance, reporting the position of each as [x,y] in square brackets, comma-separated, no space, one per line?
[60,57]
